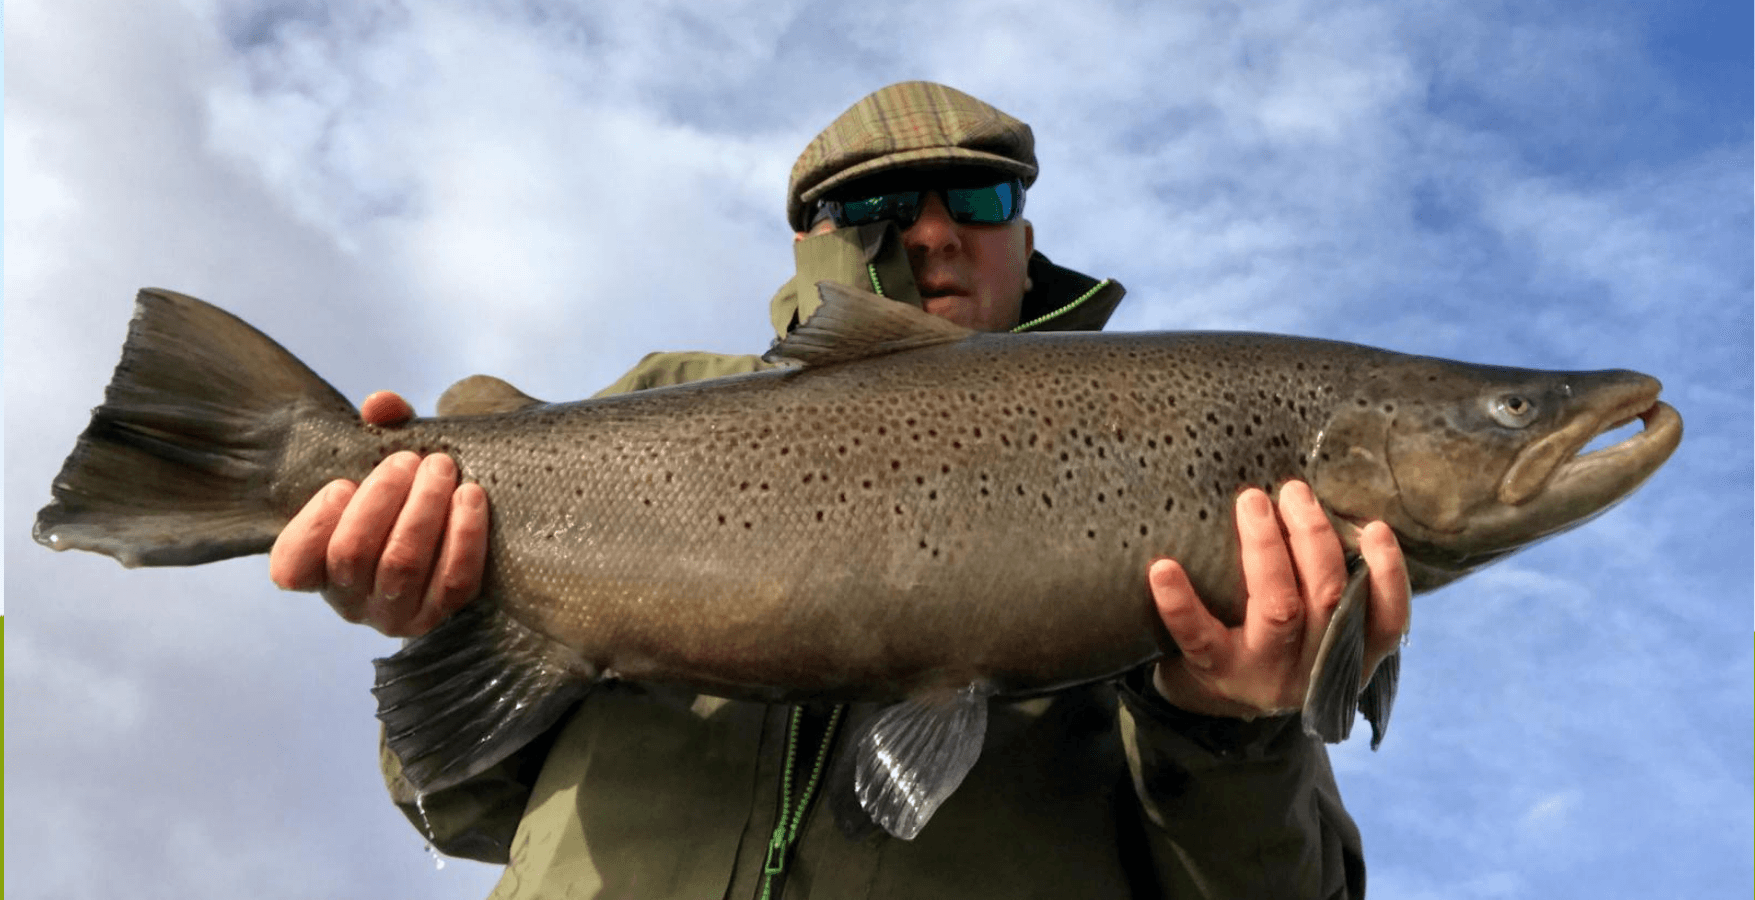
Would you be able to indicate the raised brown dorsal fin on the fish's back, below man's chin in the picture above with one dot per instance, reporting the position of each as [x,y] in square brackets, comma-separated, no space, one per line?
[857,325]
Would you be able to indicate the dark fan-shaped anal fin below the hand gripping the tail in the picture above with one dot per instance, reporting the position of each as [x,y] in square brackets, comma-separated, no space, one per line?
[471,692]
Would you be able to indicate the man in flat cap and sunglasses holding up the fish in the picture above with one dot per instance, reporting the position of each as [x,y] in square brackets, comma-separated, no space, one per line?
[1189,780]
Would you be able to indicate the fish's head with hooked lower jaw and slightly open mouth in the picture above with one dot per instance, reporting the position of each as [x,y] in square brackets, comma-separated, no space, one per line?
[1470,464]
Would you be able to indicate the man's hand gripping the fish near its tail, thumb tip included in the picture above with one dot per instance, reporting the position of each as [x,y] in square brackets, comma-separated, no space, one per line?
[399,552]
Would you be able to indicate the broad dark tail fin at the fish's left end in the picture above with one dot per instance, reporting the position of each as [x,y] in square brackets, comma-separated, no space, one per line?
[176,466]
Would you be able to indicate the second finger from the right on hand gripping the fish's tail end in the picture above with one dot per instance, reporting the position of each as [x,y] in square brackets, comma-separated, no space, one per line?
[413,545]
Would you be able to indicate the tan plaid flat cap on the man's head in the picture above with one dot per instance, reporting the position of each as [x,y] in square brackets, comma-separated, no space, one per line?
[908,125]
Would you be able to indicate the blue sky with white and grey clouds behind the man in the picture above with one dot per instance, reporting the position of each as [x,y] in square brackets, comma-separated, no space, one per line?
[408,194]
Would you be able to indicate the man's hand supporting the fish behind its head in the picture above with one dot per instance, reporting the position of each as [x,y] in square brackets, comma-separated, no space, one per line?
[1294,573]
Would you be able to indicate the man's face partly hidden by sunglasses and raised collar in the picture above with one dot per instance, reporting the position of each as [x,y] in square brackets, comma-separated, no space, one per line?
[971,275]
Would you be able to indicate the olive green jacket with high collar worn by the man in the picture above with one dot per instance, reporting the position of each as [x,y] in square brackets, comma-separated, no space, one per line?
[1103,792]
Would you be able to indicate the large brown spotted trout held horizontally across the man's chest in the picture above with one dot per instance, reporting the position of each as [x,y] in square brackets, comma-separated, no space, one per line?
[913,513]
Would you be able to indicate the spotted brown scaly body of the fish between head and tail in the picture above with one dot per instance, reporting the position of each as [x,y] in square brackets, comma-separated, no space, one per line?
[964,492]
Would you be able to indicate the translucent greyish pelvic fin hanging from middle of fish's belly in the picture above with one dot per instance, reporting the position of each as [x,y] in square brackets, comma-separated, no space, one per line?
[915,754]
